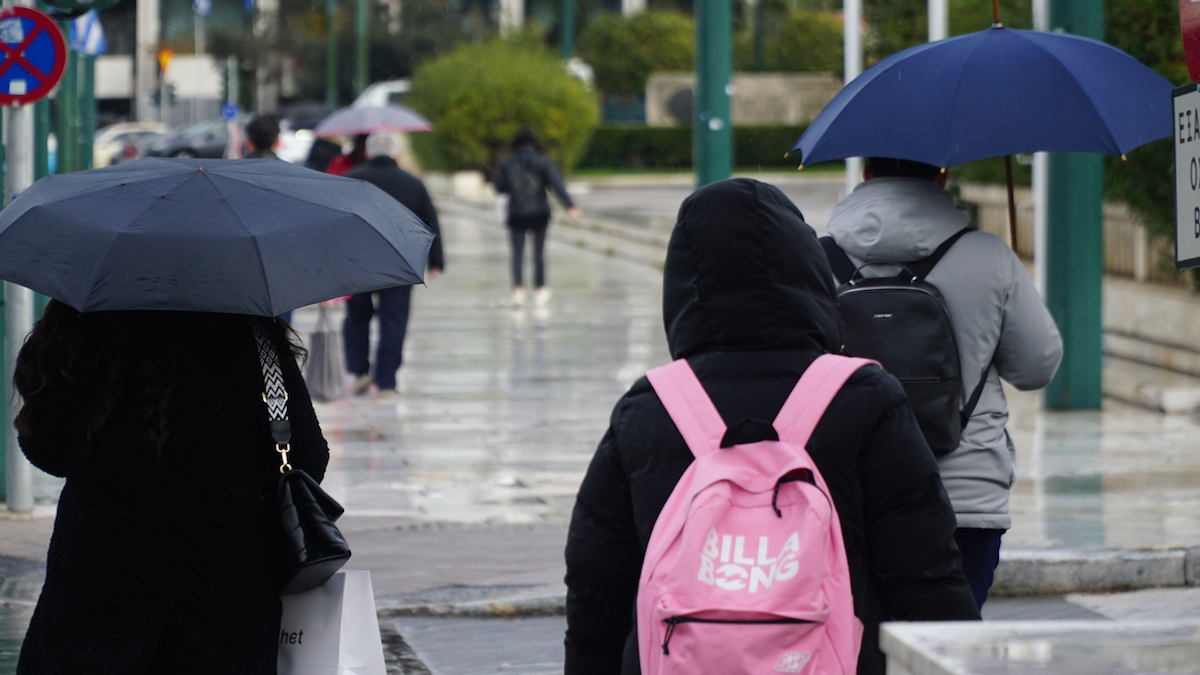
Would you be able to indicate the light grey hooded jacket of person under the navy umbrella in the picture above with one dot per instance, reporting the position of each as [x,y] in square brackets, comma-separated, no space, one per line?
[997,313]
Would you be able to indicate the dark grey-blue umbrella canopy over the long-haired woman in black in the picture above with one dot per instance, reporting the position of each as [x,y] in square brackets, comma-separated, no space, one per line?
[257,237]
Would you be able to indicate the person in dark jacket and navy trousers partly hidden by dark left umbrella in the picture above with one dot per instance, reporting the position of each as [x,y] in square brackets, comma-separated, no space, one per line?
[382,171]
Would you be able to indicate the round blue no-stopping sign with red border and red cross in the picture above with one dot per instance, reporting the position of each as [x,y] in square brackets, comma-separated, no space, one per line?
[33,55]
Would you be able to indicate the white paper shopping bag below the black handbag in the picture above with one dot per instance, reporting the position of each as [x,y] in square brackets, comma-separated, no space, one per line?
[332,630]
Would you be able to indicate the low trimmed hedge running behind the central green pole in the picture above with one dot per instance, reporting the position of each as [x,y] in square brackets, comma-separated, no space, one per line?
[670,147]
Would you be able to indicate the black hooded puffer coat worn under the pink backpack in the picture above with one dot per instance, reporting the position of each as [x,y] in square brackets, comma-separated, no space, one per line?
[748,300]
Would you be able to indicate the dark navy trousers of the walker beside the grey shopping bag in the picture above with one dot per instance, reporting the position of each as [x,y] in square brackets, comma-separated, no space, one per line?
[394,306]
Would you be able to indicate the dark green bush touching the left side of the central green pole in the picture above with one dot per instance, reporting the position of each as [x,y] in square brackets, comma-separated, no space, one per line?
[626,51]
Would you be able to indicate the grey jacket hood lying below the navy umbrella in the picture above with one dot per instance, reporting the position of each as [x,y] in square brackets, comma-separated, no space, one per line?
[895,220]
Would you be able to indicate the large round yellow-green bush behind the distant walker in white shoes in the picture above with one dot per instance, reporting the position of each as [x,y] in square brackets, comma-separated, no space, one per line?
[482,94]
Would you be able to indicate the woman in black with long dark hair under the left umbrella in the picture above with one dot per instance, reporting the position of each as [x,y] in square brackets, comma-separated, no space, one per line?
[163,553]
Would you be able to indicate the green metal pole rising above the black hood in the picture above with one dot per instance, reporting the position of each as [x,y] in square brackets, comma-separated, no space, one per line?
[712,132]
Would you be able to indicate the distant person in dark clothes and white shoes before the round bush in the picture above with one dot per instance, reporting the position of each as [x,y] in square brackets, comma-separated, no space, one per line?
[525,177]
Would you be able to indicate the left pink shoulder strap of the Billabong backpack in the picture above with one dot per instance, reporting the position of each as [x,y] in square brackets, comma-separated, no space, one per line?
[689,407]
